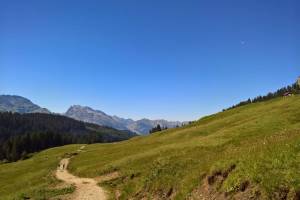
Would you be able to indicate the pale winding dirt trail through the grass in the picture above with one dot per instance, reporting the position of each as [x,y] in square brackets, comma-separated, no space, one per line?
[86,188]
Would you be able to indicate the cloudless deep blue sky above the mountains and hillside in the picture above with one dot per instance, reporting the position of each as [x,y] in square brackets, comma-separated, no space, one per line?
[171,59]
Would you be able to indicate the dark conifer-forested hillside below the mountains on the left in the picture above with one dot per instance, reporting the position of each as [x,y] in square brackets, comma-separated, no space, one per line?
[21,134]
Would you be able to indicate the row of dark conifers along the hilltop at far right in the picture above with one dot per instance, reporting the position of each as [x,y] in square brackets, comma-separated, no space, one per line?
[289,90]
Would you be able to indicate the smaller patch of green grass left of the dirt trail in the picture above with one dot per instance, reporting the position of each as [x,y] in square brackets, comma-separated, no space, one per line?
[33,177]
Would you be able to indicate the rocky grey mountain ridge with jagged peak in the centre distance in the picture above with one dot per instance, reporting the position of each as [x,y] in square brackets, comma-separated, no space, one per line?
[143,126]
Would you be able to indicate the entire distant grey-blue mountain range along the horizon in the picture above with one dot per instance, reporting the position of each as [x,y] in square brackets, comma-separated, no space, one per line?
[13,103]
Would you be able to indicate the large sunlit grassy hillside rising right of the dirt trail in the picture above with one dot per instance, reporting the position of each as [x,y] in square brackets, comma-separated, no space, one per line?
[262,140]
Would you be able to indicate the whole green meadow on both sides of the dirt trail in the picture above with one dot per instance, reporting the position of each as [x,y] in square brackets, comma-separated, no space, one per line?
[252,149]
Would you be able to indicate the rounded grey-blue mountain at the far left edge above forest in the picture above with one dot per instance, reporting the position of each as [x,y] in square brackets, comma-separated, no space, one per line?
[13,103]
